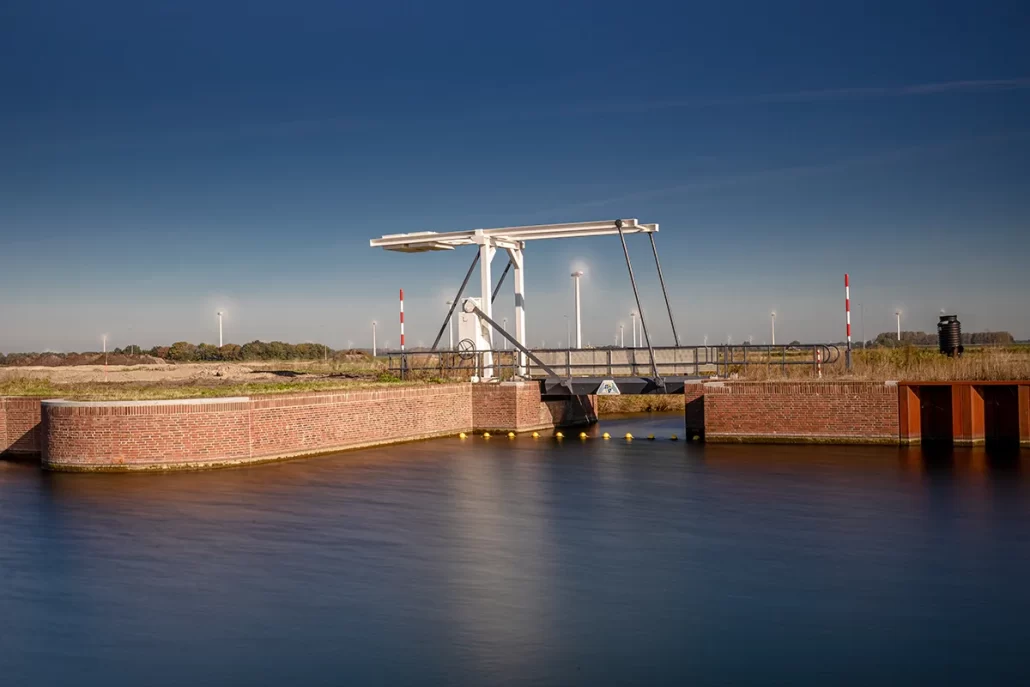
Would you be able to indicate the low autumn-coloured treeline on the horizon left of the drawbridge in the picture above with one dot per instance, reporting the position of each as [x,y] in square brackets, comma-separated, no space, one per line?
[184,352]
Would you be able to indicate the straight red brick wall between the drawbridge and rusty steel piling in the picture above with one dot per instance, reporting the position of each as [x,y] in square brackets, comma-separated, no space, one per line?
[819,413]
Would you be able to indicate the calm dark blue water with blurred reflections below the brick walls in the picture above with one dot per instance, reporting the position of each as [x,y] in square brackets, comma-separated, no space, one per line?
[522,562]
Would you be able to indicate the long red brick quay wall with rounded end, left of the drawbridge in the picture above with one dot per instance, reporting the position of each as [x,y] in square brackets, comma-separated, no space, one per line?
[156,435]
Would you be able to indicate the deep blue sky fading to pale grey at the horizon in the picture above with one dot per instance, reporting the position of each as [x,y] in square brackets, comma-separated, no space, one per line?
[162,160]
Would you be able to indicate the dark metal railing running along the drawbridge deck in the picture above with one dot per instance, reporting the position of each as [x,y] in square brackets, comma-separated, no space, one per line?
[670,361]
